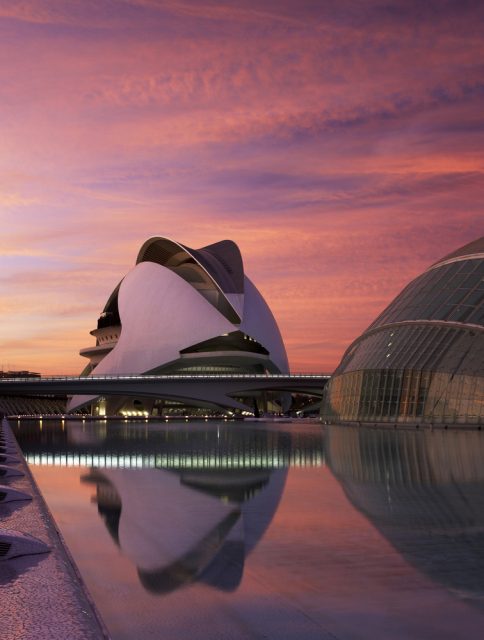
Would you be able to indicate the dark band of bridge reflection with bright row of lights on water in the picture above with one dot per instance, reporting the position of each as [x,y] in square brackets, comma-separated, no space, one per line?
[195,446]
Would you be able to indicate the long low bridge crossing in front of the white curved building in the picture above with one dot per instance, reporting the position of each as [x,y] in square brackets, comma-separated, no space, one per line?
[210,389]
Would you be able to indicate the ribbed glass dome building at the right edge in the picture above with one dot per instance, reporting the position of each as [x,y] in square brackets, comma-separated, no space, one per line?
[422,360]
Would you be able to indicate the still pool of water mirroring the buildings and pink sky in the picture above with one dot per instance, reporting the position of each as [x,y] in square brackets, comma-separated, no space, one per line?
[244,530]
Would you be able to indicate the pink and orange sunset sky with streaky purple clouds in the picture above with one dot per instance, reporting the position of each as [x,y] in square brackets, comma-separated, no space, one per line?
[339,143]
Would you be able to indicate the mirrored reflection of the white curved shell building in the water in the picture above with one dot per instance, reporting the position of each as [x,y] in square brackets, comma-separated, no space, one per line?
[196,526]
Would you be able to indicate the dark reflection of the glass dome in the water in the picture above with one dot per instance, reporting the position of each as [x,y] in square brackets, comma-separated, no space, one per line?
[424,491]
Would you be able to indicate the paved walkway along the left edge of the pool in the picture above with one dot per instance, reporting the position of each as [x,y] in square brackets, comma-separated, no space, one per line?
[41,596]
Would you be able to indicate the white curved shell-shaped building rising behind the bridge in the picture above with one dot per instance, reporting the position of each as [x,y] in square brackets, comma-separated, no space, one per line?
[181,310]
